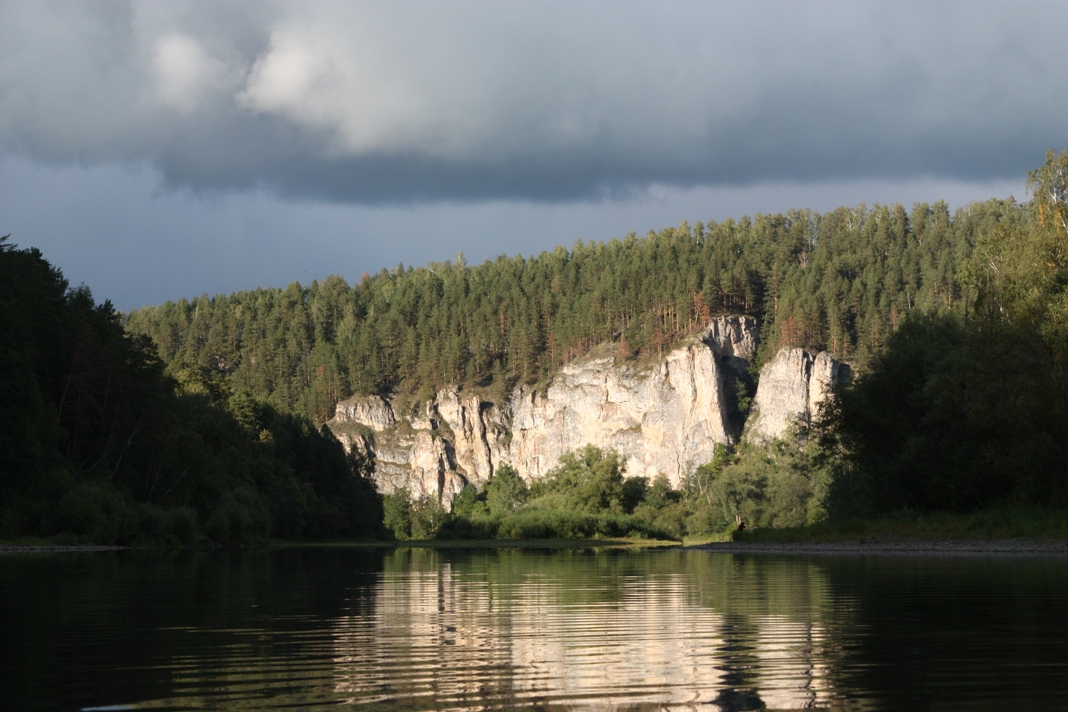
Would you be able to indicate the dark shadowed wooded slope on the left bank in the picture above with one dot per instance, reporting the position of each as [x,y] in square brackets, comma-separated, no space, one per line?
[98,445]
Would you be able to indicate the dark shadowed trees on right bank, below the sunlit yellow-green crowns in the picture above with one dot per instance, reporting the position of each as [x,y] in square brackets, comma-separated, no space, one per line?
[955,417]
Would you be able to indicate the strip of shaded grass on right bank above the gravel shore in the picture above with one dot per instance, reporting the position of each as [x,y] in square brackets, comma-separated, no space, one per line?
[987,525]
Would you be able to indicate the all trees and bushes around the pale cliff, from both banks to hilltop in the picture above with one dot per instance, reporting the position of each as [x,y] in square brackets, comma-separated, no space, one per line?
[200,420]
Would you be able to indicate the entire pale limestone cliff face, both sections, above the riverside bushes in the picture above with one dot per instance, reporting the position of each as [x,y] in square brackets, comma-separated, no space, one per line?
[665,419]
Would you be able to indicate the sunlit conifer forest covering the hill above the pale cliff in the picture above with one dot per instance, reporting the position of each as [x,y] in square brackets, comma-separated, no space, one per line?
[842,281]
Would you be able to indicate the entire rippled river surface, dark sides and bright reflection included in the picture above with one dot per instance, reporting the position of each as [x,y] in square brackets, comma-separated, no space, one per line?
[311,629]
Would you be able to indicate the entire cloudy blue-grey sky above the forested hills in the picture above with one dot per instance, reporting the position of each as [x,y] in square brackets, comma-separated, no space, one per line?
[156,151]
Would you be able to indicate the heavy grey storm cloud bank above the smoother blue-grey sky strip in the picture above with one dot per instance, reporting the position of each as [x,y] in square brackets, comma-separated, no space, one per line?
[389,103]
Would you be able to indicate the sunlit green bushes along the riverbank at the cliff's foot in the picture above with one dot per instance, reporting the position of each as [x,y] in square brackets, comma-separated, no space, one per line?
[588,497]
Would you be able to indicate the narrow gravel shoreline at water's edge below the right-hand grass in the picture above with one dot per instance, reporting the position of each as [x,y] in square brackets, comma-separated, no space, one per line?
[899,547]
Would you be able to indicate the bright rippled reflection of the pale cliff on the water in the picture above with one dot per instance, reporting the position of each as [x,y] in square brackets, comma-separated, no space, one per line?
[591,630]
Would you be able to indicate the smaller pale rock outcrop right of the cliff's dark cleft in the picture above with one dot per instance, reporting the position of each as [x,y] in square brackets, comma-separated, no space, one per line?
[793,388]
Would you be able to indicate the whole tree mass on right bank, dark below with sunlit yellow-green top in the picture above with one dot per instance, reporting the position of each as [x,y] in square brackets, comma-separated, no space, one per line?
[970,409]
